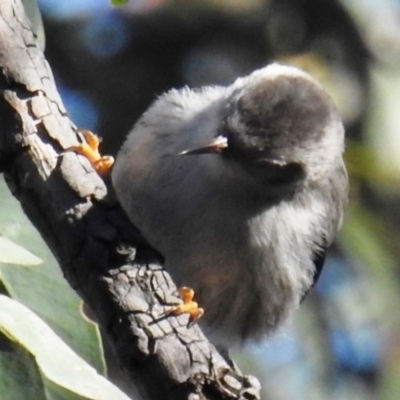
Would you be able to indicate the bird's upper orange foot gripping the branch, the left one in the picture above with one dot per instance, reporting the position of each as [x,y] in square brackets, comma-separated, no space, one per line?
[90,149]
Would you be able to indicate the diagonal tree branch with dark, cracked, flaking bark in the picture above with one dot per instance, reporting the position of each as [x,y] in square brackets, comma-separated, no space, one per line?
[75,212]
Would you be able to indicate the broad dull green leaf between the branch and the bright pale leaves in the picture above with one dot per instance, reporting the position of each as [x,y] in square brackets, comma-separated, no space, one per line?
[44,288]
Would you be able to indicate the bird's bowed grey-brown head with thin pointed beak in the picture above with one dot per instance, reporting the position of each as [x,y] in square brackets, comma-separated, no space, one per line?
[280,126]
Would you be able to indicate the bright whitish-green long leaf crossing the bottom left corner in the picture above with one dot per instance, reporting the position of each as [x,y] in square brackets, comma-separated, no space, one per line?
[54,358]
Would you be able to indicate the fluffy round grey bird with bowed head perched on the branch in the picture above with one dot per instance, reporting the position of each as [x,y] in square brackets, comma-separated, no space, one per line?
[242,189]
